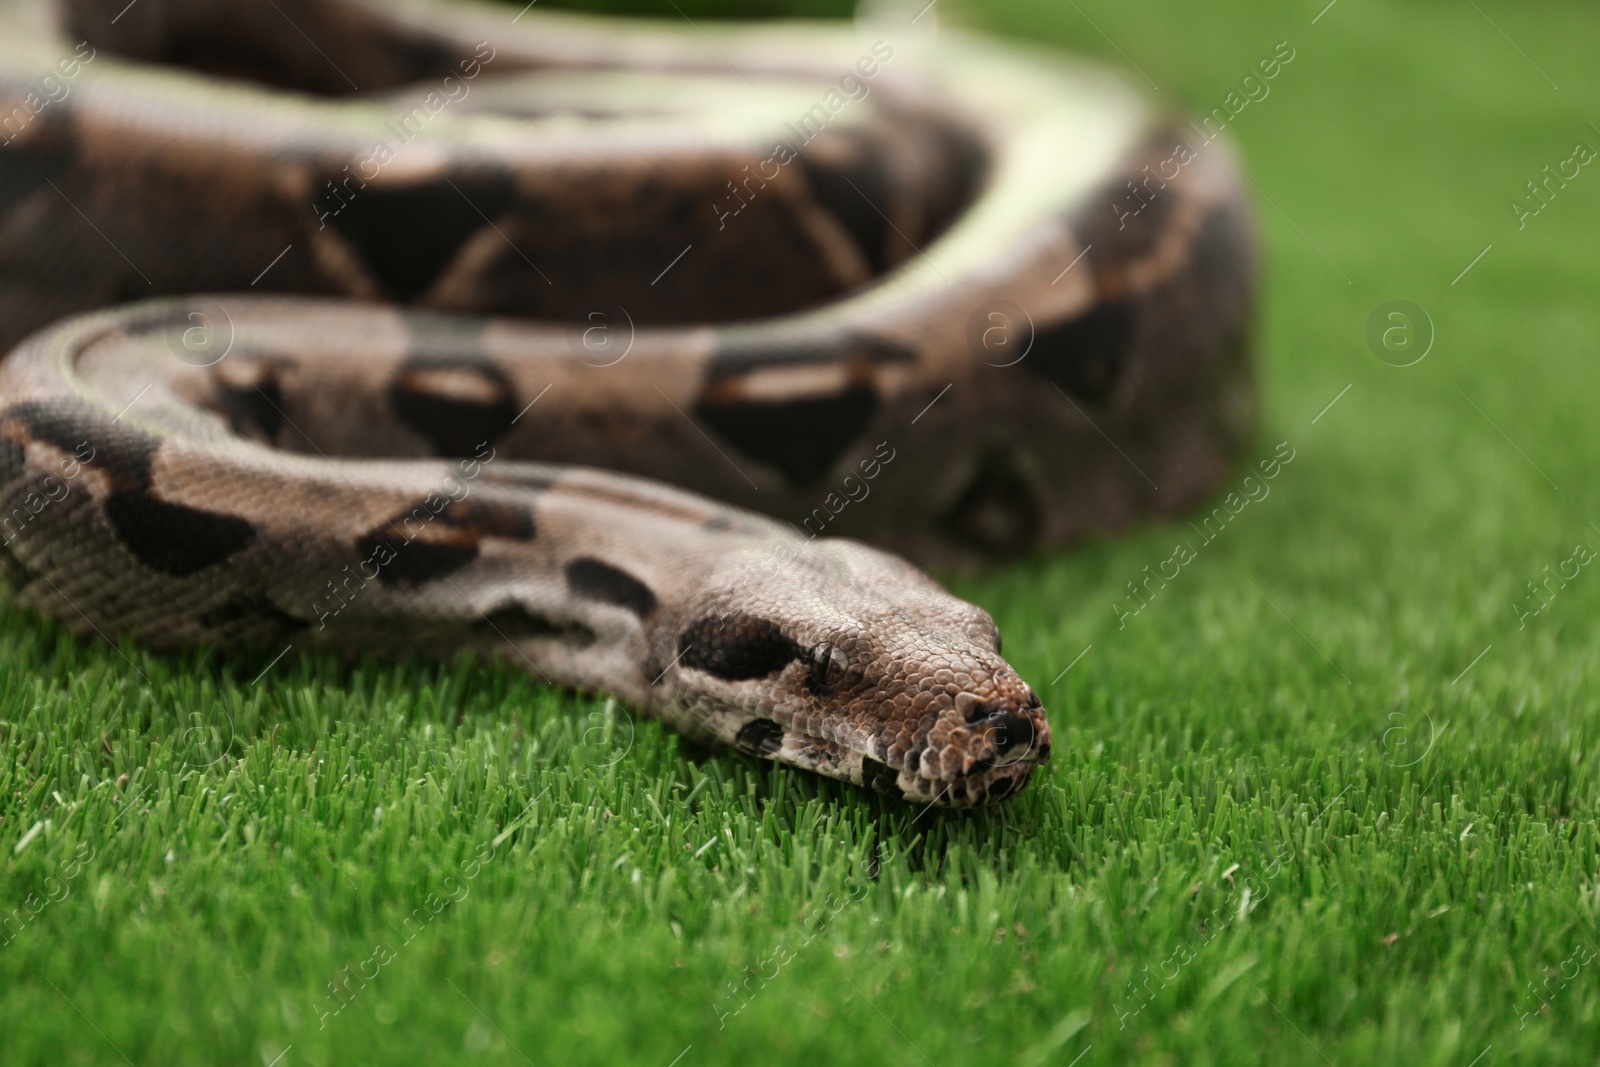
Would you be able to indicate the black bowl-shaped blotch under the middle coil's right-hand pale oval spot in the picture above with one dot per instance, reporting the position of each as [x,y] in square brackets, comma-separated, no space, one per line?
[801,438]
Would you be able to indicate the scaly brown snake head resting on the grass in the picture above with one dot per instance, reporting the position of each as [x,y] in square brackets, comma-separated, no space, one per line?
[850,663]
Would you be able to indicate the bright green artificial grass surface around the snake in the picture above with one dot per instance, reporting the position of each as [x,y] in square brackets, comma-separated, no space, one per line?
[1324,801]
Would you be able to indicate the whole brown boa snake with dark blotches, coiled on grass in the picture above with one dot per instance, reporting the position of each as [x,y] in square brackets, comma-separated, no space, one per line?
[604,346]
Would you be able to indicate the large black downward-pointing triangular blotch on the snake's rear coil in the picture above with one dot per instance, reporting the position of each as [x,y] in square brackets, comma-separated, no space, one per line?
[409,236]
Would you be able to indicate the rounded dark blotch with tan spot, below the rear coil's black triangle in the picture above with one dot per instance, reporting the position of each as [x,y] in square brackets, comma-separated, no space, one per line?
[457,404]
